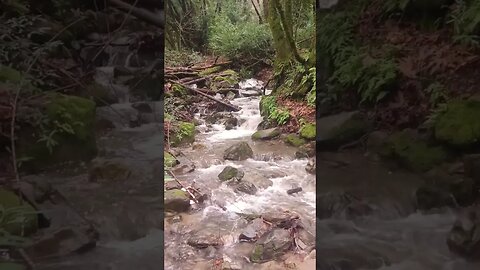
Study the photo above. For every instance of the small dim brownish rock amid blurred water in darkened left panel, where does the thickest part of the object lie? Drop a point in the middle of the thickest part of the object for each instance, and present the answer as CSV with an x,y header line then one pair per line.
x,y
108,169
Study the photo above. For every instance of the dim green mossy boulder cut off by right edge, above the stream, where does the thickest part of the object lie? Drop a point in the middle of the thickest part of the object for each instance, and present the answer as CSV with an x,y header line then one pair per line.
x,y
459,126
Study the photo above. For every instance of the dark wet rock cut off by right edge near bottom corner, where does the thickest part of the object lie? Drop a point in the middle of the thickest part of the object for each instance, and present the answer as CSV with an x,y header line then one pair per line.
x,y
464,237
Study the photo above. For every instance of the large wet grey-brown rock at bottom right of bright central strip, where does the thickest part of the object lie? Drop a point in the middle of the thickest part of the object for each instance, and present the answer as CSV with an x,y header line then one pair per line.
x,y
271,246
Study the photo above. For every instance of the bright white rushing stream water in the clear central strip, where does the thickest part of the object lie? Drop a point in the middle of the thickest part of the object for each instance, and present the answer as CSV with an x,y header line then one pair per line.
x,y
273,161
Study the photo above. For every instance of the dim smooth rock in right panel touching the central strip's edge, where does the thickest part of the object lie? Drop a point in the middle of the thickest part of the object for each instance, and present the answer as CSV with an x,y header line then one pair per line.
x,y
335,130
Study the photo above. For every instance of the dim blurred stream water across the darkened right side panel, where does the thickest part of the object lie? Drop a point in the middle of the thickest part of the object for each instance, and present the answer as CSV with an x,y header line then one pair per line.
x,y
392,235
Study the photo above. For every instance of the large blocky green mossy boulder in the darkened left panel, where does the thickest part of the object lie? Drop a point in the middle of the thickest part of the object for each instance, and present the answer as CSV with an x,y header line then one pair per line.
x,y
79,144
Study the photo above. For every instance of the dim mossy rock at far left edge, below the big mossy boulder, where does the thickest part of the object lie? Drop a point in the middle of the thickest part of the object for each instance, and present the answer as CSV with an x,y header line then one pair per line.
x,y
19,218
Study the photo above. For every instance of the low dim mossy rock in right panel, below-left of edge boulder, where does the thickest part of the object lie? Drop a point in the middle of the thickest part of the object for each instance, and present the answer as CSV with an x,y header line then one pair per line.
x,y
412,152
